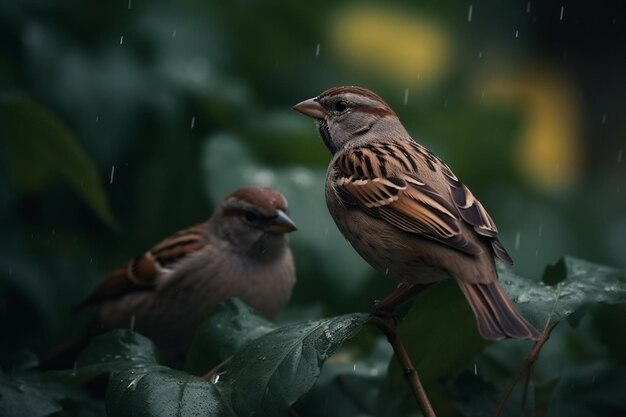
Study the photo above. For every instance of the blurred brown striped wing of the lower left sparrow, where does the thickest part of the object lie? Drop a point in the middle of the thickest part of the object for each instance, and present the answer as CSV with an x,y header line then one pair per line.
x,y
142,272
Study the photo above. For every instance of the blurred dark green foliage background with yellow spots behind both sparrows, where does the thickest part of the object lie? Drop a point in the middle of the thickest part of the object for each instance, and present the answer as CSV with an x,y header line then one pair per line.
x,y
123,121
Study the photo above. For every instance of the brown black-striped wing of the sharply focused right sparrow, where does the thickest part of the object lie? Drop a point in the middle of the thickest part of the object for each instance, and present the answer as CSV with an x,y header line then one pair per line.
x,y
384,179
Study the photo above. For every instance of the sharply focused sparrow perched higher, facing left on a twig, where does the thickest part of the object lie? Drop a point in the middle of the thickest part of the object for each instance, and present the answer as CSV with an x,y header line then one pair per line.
x,y
405,212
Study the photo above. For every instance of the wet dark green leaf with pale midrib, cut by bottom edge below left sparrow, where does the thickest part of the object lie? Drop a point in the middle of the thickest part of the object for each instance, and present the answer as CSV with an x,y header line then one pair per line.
x,y
156,391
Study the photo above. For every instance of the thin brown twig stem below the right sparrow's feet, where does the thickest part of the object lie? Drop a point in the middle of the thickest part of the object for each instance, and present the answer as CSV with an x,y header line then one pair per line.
x,y
387,325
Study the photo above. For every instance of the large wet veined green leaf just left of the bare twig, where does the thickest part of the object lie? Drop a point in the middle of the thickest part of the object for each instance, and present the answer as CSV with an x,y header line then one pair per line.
x,y
270,373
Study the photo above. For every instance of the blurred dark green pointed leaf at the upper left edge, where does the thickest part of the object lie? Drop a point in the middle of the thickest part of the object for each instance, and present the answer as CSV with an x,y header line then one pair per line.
x,y
41,148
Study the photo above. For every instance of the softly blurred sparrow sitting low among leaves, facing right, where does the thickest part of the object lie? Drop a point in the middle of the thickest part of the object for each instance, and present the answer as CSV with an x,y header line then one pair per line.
x,y
241,251
